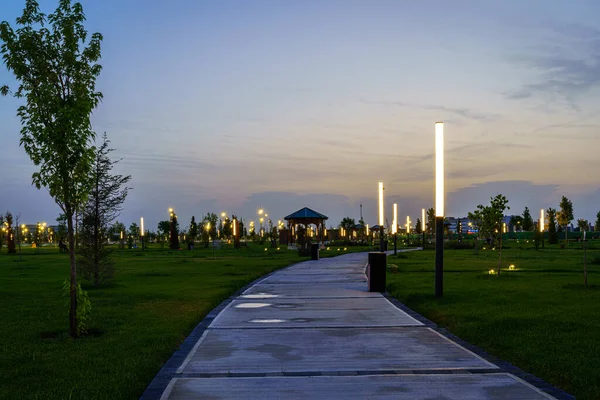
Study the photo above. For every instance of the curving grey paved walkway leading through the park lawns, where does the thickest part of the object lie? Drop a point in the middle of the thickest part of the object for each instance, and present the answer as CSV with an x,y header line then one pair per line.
x,y
312,331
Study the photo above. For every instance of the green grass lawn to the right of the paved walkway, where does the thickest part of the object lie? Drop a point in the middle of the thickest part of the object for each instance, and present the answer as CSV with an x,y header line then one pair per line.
x,y
538,317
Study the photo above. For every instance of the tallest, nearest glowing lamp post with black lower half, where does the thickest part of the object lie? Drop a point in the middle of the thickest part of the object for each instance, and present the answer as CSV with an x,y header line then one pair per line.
x,y
439,209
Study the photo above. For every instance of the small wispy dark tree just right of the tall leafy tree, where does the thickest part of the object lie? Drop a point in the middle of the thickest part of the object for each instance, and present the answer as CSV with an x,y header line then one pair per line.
x,y
104,205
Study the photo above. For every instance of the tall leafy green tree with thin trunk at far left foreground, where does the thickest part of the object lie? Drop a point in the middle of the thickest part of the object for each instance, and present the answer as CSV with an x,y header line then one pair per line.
x,y
57,76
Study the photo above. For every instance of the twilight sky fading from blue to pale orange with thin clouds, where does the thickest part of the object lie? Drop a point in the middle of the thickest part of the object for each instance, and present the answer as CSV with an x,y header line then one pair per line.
x,y
227,105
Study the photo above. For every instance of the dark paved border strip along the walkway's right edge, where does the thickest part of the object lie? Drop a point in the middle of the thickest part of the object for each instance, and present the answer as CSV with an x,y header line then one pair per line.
x,y
505,366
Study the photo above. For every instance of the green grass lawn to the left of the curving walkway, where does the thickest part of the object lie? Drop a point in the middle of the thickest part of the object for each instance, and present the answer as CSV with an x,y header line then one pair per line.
x,y
156,299
